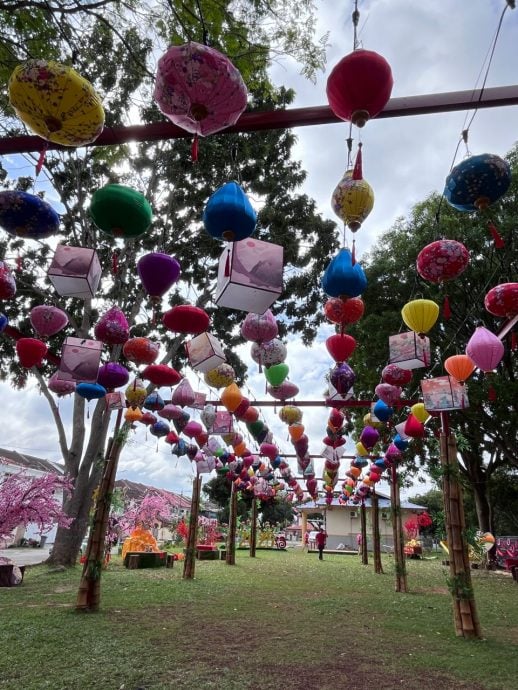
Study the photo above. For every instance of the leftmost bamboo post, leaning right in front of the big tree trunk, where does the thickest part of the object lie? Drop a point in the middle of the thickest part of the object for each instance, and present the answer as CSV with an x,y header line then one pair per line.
x,y
89,592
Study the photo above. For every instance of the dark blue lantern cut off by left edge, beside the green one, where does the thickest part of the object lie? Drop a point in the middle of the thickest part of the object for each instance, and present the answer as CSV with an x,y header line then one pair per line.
x,y
27,215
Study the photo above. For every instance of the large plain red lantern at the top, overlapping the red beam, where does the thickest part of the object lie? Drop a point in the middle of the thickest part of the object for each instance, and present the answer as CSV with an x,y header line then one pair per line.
x,y
359,86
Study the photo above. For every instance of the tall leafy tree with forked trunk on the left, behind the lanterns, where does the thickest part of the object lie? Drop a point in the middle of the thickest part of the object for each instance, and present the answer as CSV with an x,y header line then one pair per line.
x,y
176,189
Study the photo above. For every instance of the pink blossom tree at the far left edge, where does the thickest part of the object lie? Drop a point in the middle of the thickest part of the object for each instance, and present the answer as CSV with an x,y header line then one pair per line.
x,y
25,499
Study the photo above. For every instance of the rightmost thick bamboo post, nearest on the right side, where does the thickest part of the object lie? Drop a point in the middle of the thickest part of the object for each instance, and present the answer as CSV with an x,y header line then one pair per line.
x,y
464,607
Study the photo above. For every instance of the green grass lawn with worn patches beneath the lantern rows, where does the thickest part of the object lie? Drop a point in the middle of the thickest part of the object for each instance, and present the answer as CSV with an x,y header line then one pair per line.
x,y
283,620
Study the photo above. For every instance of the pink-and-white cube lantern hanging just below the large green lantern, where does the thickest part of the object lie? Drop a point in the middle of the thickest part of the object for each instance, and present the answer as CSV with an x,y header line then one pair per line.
x,y
75,271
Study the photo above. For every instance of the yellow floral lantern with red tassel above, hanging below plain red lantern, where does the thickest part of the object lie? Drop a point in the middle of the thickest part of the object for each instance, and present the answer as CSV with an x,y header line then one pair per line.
x,y
353,198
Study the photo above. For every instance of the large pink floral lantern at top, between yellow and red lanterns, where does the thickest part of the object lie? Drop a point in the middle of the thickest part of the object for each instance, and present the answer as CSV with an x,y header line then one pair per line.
x,y
199,89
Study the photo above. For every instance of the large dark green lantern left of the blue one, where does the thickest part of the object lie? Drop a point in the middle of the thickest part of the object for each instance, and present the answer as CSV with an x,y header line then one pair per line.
x,y
120,211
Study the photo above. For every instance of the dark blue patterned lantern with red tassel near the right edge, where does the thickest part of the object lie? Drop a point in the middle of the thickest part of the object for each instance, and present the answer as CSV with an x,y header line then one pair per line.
x,y
477,182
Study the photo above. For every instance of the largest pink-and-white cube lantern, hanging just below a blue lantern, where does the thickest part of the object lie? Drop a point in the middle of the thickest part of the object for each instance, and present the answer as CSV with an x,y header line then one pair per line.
x,y
250,276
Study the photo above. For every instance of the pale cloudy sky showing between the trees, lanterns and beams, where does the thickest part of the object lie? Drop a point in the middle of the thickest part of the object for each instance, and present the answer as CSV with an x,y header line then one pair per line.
x,y
432,47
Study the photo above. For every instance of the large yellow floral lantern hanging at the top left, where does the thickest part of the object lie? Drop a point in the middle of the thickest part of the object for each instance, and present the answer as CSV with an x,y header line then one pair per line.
x,y
56,103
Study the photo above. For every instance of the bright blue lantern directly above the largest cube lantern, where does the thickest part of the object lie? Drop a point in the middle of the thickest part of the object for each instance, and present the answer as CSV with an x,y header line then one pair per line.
x,y
229,215
